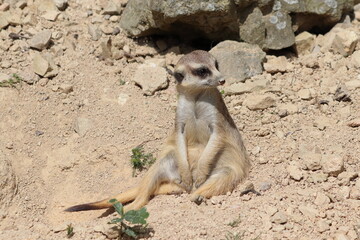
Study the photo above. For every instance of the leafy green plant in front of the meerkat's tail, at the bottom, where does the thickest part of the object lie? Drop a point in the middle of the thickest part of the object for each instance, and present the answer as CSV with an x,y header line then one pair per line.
x,y
137,219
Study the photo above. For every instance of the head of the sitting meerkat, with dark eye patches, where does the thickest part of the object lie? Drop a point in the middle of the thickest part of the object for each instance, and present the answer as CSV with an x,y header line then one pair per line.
x,y
198,69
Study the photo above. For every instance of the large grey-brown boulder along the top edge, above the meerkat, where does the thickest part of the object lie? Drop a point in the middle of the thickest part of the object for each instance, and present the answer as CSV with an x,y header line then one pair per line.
x,y
269,24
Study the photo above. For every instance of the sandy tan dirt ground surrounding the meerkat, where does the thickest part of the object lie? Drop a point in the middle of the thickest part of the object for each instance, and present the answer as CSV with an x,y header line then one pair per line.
x,y
56,167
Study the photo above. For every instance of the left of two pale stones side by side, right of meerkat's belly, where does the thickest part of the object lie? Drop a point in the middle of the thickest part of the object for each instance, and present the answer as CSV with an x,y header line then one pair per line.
x,y
310,156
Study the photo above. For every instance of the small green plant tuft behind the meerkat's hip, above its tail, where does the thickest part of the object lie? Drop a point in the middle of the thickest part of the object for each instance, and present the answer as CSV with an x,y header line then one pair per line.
x,y
140,160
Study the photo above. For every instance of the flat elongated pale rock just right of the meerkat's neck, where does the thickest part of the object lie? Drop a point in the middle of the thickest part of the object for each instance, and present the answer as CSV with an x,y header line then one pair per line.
x,y
247,87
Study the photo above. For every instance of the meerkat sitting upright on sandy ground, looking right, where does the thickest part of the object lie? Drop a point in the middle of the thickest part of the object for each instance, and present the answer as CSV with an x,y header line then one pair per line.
x,y
205,155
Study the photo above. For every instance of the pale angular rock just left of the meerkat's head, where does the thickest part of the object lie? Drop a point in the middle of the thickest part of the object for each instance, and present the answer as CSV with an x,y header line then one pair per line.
x,y
151,78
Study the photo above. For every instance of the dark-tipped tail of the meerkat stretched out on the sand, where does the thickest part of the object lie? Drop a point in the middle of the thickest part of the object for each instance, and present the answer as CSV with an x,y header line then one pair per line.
x,y
122,197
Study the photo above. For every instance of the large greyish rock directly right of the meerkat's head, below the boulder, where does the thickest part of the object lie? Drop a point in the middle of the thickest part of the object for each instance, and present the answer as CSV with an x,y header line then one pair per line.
x,y
238,60
